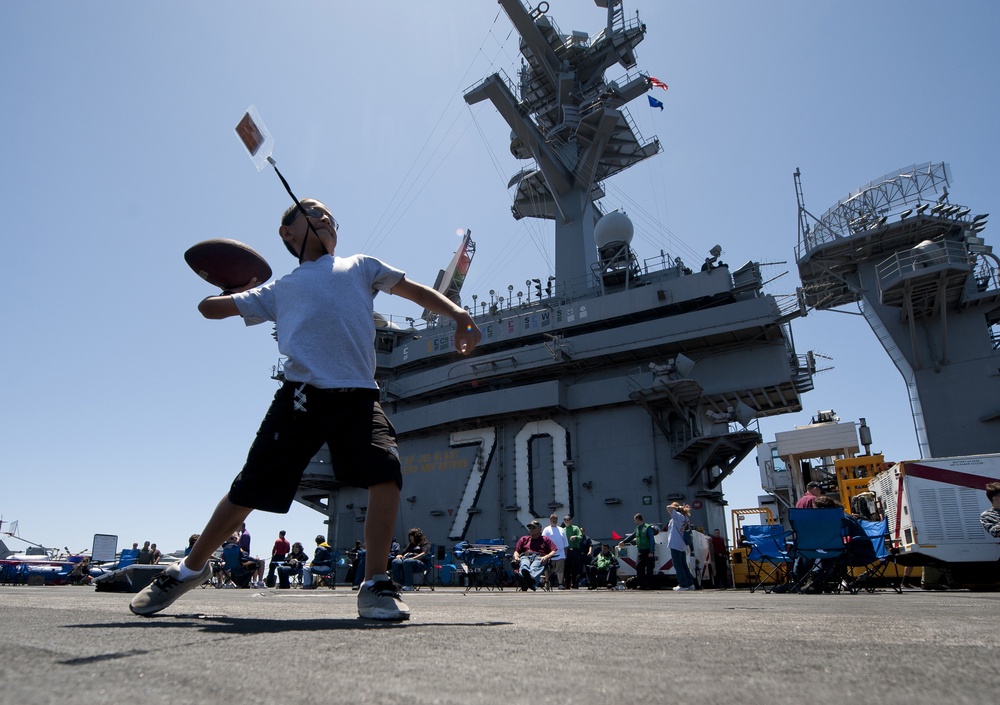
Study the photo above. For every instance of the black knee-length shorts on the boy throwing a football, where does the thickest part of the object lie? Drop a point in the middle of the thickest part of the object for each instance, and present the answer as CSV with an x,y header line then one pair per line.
x,y
301,419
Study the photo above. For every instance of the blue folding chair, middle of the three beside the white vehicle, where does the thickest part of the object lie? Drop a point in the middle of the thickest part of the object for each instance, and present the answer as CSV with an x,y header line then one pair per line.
x,y
819,549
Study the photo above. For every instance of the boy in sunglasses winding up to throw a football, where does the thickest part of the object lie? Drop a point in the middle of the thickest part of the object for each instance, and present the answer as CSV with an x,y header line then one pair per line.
x,y
324,325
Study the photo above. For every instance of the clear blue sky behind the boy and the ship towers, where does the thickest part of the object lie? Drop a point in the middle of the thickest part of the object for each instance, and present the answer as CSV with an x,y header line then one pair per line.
x,y
124,412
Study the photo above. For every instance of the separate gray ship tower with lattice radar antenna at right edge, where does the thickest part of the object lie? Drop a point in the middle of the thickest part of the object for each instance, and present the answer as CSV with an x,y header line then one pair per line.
x,y
927,284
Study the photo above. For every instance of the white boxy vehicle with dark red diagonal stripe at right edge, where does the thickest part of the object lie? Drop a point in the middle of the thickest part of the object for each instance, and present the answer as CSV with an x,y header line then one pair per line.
x,y
933,507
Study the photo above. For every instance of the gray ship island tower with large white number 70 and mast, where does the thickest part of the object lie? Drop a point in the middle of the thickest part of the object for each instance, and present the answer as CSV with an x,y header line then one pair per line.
x,y
617,385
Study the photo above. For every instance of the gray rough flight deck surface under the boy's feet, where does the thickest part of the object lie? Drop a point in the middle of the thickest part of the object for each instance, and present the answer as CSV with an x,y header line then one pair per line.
x,y
72,644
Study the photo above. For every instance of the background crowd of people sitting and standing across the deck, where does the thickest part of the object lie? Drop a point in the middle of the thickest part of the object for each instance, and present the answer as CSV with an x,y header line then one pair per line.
x,y
560,556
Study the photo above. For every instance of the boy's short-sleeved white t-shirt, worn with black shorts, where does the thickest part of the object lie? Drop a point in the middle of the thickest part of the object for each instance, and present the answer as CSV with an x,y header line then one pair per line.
x,y
323,312
